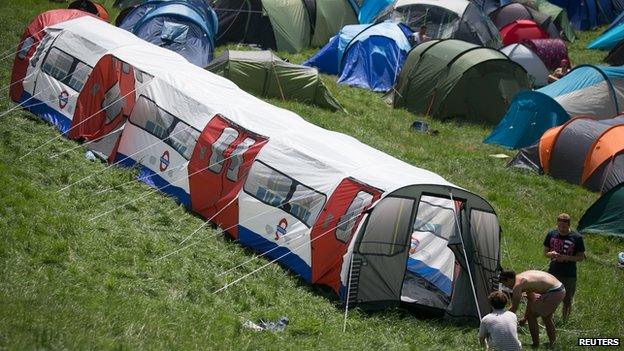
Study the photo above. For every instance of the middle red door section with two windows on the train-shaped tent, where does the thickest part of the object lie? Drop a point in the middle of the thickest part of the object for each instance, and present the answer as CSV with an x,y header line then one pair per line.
x,y
218,168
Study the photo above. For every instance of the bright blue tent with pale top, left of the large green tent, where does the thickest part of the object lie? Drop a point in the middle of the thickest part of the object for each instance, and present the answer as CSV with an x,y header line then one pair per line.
x,y
366,56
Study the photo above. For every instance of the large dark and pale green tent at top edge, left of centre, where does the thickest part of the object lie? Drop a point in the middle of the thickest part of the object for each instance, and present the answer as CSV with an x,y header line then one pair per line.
x,y
284,25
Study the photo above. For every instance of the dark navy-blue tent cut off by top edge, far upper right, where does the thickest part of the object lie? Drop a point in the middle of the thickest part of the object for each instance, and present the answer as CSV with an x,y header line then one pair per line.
x,y
588,14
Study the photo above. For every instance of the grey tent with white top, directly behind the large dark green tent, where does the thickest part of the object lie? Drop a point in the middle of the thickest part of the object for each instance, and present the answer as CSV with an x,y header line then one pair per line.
x,y
457,19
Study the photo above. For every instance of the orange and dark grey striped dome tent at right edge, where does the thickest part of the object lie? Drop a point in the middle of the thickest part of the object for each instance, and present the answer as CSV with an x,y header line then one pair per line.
x,y
582,151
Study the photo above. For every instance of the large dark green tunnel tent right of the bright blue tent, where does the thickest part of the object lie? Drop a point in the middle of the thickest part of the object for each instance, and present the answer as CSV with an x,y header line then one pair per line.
x,y
450,79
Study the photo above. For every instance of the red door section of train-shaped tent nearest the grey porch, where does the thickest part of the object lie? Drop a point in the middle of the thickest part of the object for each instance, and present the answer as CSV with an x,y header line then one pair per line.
x,y
334,228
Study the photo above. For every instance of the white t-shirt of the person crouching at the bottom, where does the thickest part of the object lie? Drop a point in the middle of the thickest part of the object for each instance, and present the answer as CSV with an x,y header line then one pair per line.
x,y
501,329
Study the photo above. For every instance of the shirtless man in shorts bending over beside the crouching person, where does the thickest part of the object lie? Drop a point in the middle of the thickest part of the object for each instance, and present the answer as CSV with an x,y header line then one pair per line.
x,y
544,293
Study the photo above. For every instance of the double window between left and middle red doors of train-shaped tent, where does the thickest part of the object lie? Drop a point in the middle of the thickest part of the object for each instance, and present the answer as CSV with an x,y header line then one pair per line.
x,y
165,126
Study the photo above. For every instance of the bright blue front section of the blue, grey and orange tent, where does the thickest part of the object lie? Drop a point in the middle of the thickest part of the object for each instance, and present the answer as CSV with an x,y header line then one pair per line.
x,y
530,114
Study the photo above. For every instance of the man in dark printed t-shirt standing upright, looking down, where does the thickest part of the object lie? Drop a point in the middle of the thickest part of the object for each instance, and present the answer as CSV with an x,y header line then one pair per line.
x,y
564,248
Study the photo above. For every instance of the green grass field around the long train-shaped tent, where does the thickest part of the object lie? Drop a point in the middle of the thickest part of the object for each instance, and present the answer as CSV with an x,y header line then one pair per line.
x,y
69,282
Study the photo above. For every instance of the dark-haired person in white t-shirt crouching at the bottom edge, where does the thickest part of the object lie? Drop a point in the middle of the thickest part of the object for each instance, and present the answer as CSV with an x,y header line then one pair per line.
x,y
500,327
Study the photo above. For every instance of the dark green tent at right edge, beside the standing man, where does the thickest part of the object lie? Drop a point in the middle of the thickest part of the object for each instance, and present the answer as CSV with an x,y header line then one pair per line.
x,y
606,215
